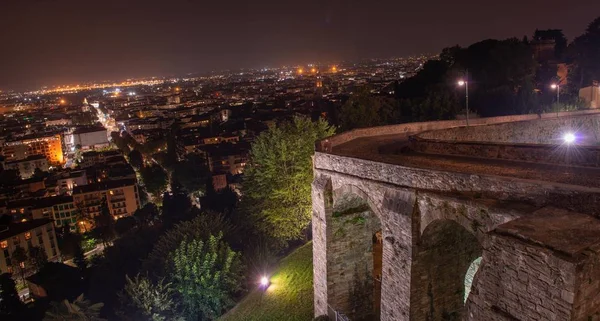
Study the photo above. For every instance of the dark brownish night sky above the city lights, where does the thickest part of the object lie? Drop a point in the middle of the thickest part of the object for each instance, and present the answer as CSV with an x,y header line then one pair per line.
x,y
48,42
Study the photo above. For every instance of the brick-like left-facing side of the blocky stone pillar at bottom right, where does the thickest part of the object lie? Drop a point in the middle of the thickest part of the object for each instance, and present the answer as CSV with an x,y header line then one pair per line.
x,y
517,281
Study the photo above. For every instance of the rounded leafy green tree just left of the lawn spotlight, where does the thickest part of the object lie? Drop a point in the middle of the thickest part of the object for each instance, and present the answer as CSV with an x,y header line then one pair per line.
x,y
206,274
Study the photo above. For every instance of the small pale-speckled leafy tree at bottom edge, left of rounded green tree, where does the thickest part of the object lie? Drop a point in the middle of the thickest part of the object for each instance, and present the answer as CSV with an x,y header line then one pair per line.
x,y
143,300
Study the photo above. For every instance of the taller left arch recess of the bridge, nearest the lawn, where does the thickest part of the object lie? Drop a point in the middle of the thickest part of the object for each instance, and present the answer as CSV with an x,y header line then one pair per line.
x,y
353,227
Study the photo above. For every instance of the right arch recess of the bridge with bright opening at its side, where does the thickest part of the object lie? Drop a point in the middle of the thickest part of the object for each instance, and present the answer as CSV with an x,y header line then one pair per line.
x,y
442,257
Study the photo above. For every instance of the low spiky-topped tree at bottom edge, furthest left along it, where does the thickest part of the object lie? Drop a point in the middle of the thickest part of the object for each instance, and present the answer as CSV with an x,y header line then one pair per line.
x,y
78,310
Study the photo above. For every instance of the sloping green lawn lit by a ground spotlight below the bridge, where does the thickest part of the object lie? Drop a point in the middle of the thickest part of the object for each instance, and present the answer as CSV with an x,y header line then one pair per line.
x,y
290,296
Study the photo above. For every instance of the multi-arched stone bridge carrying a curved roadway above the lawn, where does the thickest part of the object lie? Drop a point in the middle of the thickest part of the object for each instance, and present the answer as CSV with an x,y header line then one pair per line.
x,y
439,221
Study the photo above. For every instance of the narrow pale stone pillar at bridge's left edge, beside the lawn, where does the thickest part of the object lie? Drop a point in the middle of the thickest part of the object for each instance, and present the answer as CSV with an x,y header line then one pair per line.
x,y
321,200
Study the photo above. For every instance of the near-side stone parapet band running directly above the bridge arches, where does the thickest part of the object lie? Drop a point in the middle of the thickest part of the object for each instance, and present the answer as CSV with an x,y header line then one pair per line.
x,y
576,198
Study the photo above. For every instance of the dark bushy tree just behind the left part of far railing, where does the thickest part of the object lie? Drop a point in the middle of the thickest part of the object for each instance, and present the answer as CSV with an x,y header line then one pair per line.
x,y
366,110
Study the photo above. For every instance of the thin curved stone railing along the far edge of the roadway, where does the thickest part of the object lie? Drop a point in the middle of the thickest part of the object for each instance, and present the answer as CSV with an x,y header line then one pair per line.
x,y
327,145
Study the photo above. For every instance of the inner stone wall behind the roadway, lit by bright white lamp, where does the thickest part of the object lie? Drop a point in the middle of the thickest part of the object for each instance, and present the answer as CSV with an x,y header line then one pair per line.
x,y
544,131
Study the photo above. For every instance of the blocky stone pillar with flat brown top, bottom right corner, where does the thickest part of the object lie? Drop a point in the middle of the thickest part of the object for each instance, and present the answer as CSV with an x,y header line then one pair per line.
x,y
540,267
